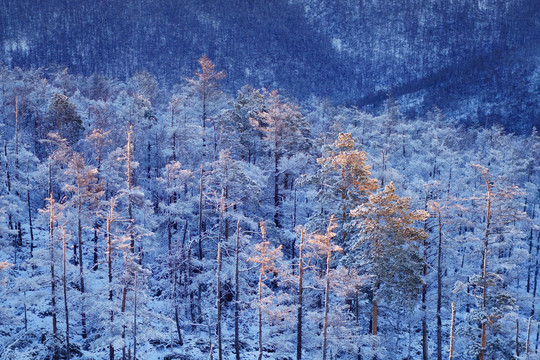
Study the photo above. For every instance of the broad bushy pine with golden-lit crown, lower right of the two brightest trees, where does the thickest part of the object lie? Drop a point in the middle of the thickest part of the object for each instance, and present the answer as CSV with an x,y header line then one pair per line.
x,y
388,248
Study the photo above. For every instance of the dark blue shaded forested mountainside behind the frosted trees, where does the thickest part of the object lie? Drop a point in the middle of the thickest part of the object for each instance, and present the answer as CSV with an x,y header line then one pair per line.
x,y
475,59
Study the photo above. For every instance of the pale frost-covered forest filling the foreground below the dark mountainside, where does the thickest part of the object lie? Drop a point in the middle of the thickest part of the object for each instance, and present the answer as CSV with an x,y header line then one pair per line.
x,y
138,222
